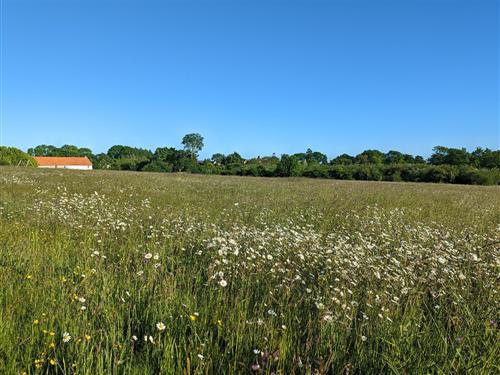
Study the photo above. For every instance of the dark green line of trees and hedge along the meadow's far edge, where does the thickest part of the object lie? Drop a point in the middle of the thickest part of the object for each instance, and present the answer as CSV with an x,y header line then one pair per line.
x,y
449,165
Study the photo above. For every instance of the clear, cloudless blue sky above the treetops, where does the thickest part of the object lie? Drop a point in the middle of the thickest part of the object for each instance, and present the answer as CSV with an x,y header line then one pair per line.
x,y
253,76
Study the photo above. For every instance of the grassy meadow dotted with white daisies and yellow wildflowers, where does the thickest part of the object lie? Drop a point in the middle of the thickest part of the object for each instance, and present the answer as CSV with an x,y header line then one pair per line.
x,y
116,272
